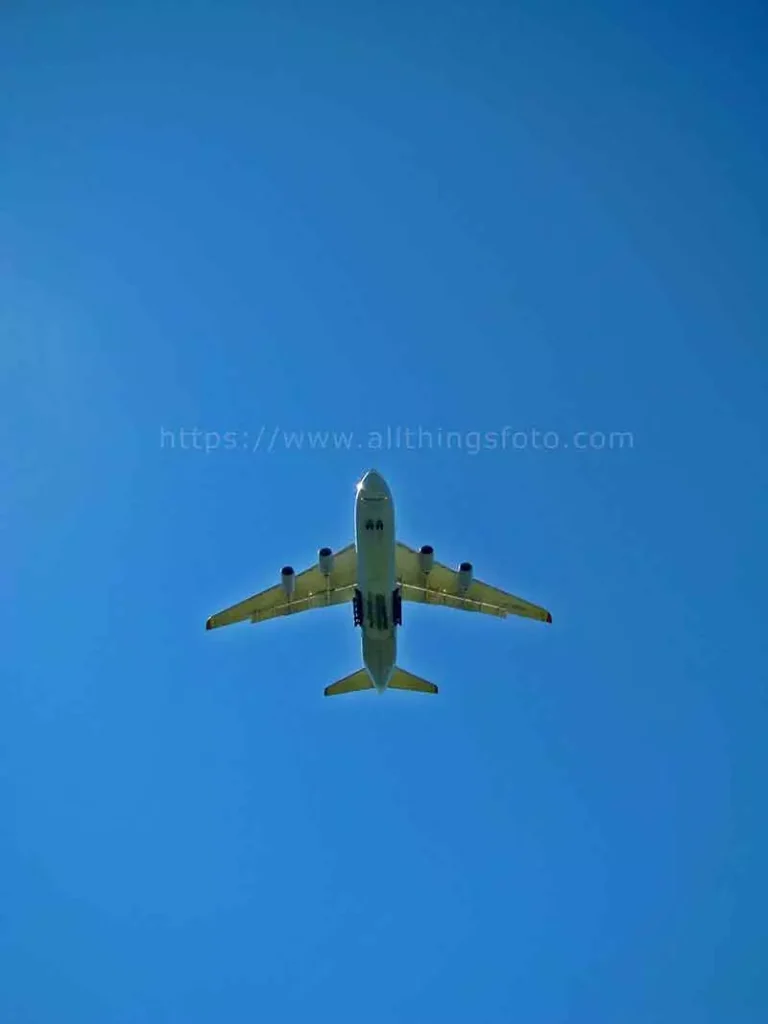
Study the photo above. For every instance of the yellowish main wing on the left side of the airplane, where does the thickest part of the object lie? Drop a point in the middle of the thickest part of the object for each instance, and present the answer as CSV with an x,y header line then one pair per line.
x,y
313,590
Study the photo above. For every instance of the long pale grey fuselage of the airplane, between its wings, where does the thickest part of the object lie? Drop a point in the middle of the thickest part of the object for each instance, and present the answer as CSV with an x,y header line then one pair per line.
x,y
378,605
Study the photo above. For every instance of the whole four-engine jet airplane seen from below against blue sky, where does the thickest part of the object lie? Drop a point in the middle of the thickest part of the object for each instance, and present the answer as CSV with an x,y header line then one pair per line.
x,y
376,574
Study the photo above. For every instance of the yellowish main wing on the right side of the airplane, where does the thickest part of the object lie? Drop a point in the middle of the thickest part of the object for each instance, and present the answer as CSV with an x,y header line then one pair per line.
x,y
441,586
